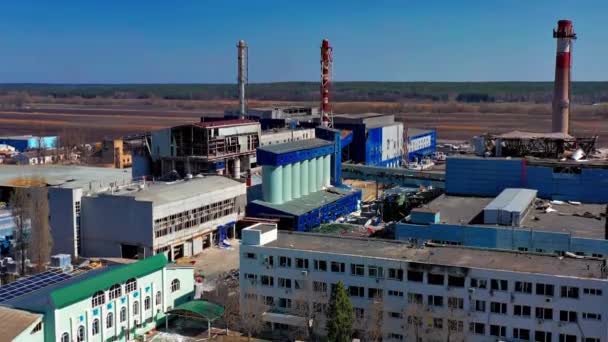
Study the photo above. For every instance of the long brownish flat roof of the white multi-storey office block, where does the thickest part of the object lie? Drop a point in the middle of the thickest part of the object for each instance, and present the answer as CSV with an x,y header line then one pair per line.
x,y
440,255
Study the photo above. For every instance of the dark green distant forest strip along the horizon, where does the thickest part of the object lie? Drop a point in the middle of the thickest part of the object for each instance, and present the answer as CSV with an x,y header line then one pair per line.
x,y
535,92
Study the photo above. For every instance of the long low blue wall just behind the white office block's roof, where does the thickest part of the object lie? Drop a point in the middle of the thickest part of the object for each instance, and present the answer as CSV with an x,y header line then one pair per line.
x,y
500,238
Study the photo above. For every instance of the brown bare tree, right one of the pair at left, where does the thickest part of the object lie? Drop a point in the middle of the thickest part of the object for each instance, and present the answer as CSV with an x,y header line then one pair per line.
x,y
41,241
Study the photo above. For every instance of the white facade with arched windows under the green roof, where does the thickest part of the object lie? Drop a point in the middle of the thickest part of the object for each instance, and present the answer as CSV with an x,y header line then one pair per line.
x,y
68,319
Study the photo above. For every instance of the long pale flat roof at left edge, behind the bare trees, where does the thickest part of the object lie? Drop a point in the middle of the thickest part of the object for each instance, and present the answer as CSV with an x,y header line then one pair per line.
x,y
64,176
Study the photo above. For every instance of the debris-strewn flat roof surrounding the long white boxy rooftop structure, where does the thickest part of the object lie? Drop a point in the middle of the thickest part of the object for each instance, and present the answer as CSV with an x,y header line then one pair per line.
x,y
569,218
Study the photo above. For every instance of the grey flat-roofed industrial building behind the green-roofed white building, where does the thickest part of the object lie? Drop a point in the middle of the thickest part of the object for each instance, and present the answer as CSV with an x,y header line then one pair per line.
x,y
176,218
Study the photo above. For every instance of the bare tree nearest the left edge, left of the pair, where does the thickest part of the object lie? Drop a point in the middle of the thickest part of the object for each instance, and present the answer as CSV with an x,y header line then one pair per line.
x,y
20,205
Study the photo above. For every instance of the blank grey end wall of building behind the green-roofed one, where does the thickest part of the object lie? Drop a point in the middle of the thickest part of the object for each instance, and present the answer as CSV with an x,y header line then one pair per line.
x,y
108,221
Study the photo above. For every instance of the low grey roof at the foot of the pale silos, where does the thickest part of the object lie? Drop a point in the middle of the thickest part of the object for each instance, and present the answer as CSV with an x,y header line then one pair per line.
x,y
309,202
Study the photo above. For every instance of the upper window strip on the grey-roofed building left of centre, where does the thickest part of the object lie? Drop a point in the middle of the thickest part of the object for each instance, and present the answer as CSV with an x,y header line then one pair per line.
x,y
192,218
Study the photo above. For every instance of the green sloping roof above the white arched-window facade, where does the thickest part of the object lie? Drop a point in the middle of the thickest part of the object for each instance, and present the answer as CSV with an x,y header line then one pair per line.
x,y
76,292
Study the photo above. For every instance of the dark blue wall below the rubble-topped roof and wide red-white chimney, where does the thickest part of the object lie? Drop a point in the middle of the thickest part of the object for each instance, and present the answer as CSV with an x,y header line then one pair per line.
x,y
489,176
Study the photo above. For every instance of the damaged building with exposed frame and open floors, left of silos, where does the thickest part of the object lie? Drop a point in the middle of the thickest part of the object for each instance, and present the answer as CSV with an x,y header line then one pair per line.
x,y
223,147
